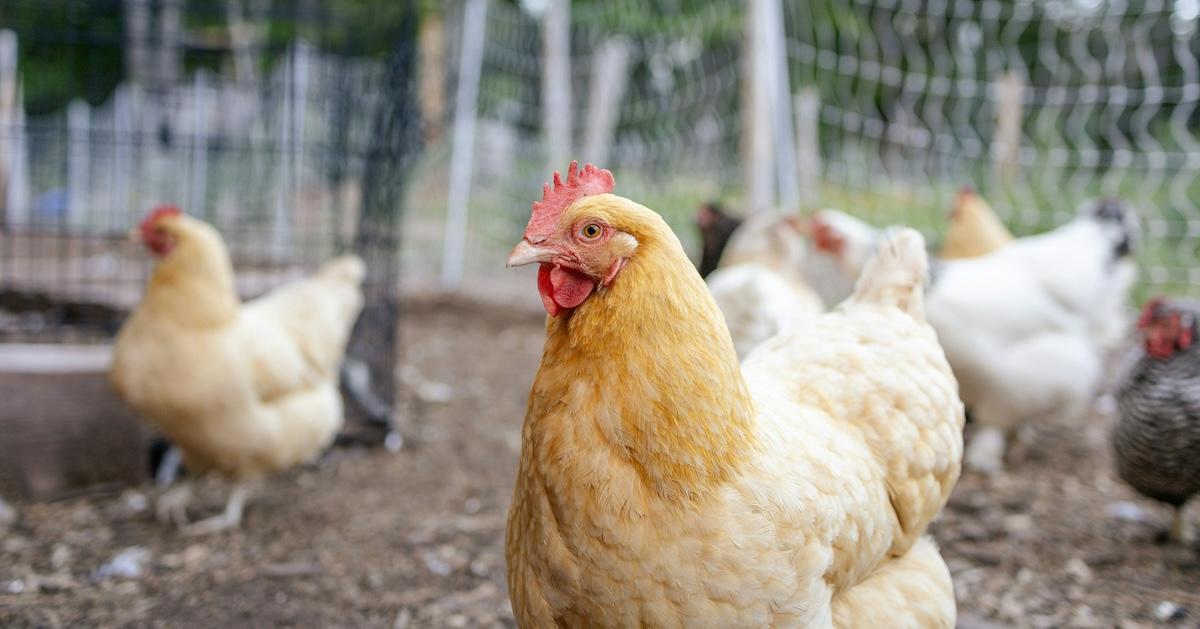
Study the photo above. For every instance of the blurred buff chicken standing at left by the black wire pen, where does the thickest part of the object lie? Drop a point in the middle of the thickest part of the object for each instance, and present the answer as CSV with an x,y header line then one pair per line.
x,y
243,390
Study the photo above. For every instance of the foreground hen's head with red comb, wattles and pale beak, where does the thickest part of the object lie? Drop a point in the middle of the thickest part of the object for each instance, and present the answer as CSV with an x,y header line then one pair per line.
x,y
580,247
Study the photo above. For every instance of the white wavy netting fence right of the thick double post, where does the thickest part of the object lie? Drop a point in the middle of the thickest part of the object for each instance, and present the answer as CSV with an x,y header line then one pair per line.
x,y
1042,105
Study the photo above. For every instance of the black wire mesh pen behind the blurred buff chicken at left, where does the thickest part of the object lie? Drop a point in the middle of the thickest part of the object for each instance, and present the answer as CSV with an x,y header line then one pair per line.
x,y
283,124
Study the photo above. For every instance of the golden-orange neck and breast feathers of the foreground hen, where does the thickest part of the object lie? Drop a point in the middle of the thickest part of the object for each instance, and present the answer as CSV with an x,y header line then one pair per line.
x,y
646,369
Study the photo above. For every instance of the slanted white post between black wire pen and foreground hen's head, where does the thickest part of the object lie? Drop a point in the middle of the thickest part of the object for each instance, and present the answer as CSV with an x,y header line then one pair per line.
x,y
471,62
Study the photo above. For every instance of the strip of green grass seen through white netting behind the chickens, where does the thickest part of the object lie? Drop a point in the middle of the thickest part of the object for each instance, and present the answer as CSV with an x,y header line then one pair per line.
x,y
500,212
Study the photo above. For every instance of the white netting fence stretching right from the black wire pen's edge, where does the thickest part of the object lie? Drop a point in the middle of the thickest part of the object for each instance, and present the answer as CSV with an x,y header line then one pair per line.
x,y
1039,105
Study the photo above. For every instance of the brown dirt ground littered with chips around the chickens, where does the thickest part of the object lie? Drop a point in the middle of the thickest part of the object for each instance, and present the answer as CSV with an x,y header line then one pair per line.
x,y
374,540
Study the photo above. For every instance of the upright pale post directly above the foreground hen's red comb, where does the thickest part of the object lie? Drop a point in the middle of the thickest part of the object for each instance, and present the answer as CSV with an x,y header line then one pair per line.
x,y
556,82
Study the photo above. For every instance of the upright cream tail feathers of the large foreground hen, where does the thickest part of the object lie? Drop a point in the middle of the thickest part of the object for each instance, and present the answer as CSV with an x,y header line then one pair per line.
x,y
896,277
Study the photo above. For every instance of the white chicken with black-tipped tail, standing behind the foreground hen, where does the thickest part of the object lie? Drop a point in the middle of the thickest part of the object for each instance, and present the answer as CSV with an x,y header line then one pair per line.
x,y
1027,328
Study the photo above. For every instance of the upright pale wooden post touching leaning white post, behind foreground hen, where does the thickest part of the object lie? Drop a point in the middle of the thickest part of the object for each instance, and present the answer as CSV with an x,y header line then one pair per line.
x,y
758,161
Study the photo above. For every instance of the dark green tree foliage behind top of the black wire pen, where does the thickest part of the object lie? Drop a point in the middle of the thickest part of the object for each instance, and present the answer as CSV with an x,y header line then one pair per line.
x,y
83,50
